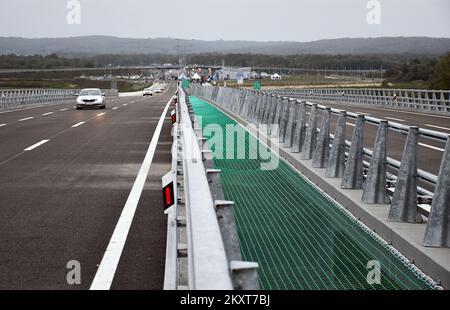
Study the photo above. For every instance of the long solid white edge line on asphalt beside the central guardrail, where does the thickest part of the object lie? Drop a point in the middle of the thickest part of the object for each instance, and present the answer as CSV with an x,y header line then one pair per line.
x,y
107,268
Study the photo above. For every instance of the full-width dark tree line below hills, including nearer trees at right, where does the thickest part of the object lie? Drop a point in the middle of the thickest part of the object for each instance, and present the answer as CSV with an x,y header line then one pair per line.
x,y
401,68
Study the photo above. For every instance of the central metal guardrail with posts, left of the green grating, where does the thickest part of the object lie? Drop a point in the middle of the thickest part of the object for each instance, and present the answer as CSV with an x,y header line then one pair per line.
x,y
210,240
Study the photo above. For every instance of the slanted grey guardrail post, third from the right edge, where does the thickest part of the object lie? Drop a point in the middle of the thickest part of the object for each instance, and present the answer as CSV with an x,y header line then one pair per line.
x,y
374,189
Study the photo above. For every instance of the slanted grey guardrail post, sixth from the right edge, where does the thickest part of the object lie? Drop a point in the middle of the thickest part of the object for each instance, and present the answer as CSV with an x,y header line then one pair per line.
x,y
322,151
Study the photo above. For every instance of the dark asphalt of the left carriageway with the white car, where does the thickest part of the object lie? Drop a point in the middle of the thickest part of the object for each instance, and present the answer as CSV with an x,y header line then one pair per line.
x,y
65,176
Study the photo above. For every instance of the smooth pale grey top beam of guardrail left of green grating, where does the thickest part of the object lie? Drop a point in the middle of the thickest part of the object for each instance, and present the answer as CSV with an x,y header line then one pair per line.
x,y
207,261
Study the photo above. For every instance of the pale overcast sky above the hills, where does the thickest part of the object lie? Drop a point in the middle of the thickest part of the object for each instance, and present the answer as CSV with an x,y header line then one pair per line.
x,y
259,20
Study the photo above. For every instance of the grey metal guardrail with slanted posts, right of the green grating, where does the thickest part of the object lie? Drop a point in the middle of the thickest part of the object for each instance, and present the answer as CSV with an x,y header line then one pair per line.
x,y
345,159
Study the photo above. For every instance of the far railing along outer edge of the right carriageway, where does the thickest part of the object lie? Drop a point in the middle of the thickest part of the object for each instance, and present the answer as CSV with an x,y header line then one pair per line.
x,y
429,101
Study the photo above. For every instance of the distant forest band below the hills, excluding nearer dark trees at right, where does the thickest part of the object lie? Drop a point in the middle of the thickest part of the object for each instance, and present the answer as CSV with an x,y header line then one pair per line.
x,y
309,61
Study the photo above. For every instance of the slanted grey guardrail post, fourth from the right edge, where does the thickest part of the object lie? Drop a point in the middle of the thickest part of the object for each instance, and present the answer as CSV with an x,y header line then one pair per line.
x,y
353,174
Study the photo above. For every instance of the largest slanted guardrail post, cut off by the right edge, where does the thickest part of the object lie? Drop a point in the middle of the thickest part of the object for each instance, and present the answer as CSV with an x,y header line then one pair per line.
x,y
437,233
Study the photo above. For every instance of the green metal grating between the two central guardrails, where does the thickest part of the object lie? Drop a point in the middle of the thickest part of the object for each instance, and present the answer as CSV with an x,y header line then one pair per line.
x,y
300,238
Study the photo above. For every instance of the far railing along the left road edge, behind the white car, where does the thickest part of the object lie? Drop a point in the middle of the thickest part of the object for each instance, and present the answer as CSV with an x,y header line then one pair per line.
x,y
17,98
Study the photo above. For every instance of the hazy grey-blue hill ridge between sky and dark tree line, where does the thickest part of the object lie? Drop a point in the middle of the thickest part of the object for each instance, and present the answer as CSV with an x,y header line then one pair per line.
x,y
95,45
